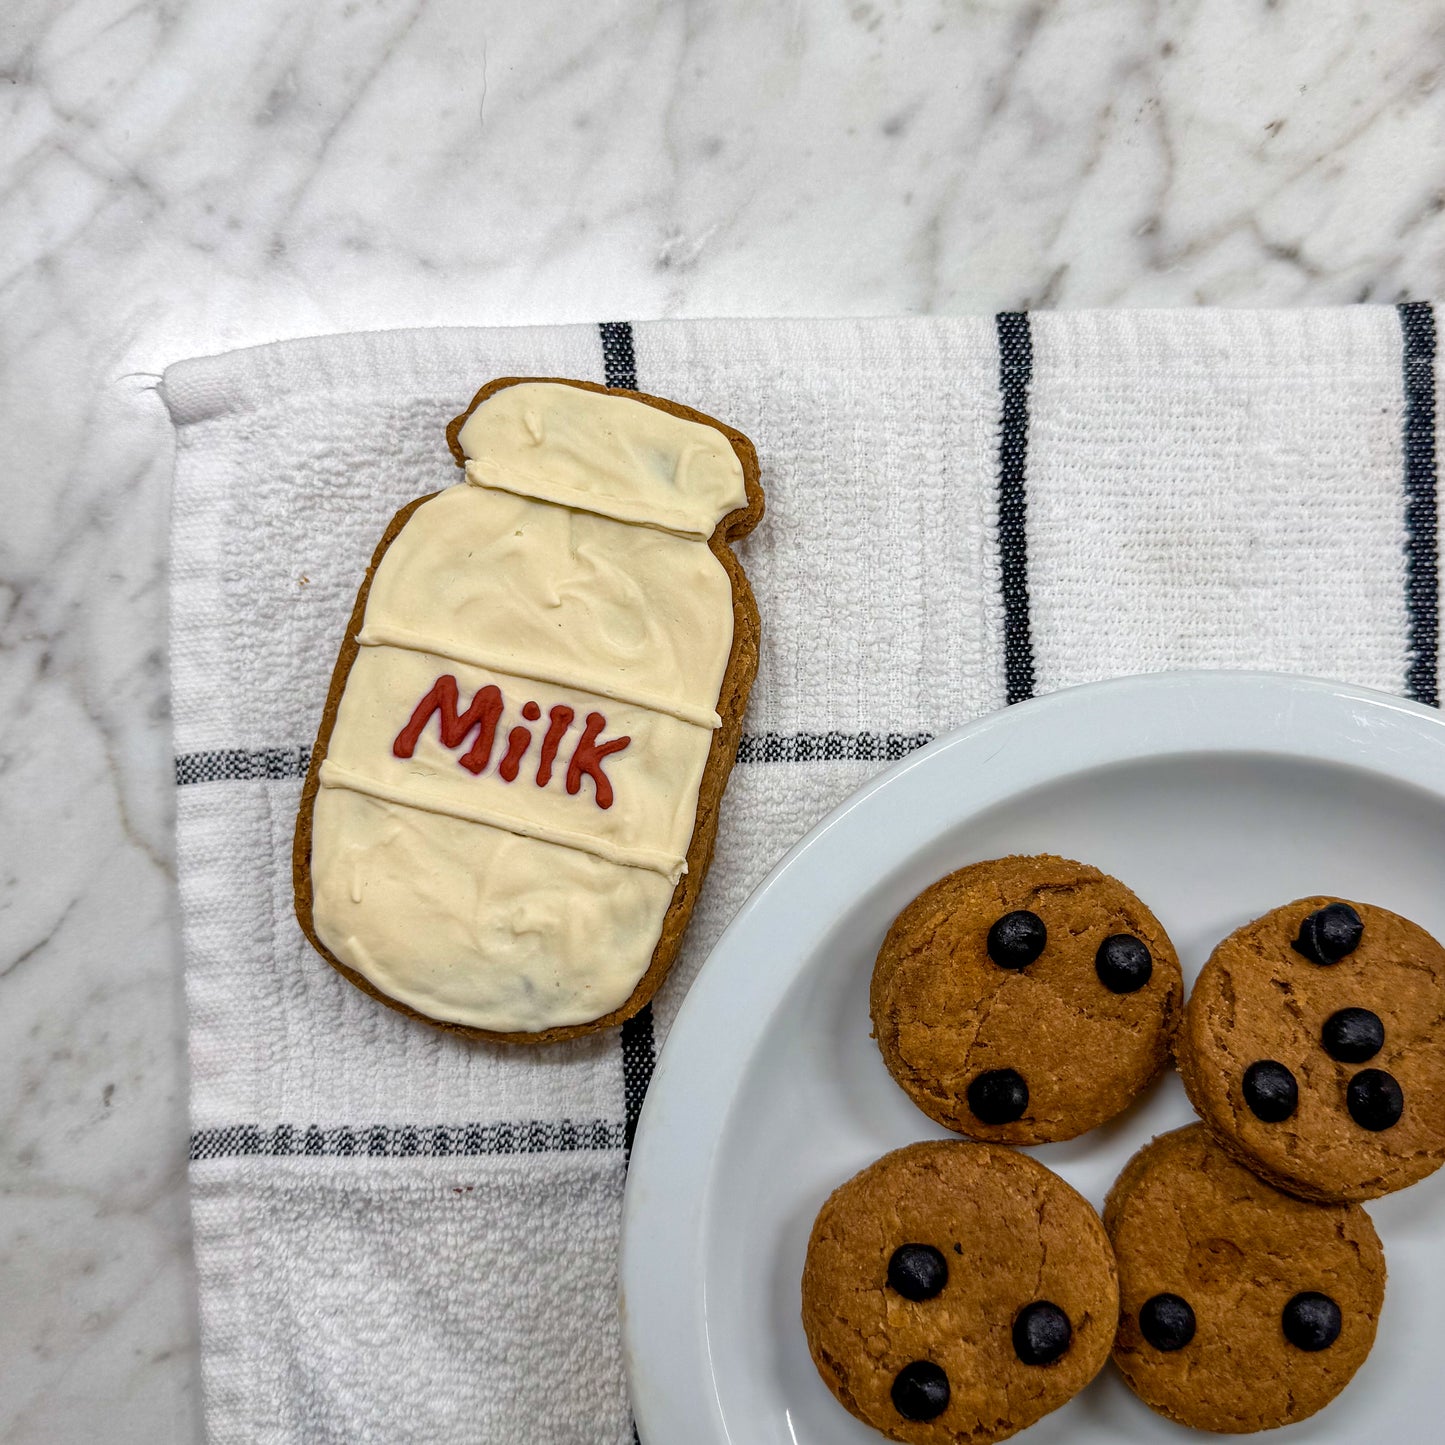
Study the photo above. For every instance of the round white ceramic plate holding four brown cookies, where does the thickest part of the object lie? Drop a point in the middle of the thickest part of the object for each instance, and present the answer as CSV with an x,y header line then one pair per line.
x,y
1215,797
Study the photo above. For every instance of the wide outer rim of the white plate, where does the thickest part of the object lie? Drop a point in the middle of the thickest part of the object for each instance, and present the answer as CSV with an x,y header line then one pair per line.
x,y
665,1203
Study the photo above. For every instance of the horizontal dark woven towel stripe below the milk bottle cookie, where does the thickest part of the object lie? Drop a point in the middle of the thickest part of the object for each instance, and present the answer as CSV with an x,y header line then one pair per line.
x,y
531,1136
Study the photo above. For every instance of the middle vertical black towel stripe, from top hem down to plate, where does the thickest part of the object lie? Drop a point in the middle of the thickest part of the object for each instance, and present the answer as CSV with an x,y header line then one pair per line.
x,y
1015,376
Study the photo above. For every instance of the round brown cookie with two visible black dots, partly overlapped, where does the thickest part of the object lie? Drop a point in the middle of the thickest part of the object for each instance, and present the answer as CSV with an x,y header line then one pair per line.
x,y
1241,1308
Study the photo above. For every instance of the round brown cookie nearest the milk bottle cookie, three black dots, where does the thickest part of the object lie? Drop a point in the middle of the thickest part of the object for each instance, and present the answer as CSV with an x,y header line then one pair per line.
x,y
1027,999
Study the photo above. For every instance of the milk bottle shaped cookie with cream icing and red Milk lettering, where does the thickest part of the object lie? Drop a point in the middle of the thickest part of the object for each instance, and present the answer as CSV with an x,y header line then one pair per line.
x,y
515,788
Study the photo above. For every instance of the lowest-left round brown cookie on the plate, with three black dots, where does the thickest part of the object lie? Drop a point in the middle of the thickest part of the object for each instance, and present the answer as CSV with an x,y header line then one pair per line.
x,y
957,1293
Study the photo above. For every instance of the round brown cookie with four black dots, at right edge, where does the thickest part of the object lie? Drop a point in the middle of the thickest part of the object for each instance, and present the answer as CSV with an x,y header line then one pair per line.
x,y
1314,1048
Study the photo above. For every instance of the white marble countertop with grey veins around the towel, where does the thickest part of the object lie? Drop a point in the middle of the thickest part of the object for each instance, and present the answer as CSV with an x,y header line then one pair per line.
x,y
186,178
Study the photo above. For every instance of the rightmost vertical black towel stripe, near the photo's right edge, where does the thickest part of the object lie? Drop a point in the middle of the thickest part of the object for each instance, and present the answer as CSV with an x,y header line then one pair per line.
x,y
1421,508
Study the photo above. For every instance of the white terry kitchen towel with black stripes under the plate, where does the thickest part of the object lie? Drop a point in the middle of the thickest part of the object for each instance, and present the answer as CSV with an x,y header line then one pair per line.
x,y
405,1238
